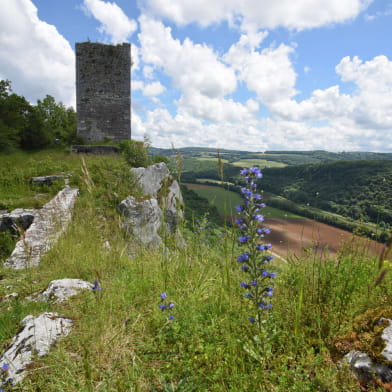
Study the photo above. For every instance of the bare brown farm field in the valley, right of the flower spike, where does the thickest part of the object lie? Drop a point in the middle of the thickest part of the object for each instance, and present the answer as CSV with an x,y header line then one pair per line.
x,y
296,236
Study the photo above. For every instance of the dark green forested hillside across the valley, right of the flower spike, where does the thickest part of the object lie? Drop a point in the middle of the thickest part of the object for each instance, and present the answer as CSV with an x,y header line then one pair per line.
x,y
361,190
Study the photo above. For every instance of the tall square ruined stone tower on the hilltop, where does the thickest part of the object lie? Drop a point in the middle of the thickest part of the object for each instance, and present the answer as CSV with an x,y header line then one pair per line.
x,y
103,91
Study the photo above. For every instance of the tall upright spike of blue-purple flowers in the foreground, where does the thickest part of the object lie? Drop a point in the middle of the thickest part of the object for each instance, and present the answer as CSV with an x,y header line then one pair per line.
x,y
255,257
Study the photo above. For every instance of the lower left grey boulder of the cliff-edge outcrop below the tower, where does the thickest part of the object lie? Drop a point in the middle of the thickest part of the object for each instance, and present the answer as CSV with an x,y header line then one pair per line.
x,y
144,220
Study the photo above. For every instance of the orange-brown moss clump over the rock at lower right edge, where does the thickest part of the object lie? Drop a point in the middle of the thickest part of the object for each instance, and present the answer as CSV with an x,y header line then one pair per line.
x,y
365,335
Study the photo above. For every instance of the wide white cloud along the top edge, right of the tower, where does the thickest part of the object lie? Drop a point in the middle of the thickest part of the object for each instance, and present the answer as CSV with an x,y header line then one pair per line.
x,y
296,15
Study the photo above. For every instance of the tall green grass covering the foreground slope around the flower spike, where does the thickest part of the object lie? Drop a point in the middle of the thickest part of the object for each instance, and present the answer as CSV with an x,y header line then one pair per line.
x,y
122,342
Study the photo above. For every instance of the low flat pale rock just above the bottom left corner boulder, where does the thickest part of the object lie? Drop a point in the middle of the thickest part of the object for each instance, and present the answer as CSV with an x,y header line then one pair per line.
x,y
60,290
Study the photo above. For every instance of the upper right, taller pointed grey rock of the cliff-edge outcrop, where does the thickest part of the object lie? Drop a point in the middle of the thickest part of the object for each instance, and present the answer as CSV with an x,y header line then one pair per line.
x,y
157,182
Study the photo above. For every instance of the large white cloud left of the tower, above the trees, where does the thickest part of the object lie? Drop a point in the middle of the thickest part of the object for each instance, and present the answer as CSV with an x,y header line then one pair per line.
x,y
34,55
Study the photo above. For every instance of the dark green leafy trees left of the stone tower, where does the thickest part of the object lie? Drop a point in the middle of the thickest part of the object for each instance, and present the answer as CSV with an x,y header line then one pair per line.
x,y
32,127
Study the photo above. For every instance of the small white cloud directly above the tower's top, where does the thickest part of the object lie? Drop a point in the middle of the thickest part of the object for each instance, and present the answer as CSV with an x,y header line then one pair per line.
x,y
113,20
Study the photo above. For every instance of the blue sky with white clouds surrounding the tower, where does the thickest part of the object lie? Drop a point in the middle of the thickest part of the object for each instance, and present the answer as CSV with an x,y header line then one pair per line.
x,y
254,75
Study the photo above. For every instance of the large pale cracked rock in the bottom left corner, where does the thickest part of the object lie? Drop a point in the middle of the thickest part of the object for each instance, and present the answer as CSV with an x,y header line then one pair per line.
x,y
36,338
